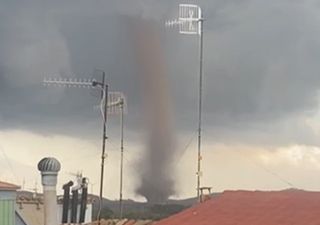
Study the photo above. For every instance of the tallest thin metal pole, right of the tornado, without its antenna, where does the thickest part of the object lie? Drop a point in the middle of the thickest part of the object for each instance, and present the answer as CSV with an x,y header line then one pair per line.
x,y
200,107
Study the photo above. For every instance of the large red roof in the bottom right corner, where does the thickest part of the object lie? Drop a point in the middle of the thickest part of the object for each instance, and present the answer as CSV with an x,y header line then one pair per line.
x,y
289,207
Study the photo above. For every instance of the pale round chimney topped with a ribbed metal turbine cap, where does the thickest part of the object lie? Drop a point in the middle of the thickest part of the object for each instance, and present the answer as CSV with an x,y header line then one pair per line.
x,y
49,168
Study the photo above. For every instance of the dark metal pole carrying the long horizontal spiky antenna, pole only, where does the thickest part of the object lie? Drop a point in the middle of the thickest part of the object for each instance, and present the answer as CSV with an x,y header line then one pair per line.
x,y
104,137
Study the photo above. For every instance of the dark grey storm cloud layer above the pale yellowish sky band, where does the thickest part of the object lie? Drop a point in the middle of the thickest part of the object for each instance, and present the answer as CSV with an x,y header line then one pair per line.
x,y
260,65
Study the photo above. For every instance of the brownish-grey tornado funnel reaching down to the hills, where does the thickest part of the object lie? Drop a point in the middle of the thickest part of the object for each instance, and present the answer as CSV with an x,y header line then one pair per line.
x,y
156,166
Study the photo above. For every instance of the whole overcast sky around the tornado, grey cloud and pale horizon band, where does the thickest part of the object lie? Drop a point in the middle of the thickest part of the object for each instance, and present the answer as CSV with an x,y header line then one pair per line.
x,y
261,101
